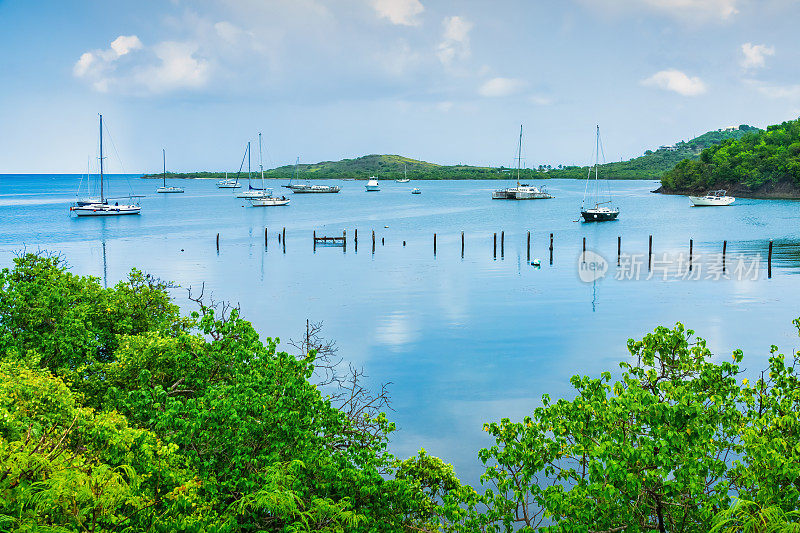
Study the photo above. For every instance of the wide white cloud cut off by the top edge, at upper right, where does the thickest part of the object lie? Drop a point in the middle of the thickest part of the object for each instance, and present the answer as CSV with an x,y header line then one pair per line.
x,y
691,10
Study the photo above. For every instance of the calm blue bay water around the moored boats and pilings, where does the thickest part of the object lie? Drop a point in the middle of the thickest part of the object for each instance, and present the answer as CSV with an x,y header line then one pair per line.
x,y
463,340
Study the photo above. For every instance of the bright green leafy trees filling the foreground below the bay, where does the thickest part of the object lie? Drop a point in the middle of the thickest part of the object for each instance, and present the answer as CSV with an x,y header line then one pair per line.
x,y
120,413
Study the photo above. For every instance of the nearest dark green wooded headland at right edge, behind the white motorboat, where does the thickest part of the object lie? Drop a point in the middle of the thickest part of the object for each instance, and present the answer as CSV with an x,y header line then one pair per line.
x,y
760,164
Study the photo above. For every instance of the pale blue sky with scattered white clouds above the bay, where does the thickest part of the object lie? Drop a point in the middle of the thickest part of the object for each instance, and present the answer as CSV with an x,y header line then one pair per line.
x,y
446,82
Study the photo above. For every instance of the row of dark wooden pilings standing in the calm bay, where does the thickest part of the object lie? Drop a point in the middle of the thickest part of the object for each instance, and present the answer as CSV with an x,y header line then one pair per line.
x,y
343,241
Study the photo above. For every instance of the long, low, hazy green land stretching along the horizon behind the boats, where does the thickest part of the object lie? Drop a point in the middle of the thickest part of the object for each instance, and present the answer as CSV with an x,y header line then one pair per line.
x,y
652,165
